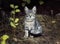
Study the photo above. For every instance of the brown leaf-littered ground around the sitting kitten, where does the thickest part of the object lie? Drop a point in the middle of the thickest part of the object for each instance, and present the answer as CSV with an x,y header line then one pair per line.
x,y
50,35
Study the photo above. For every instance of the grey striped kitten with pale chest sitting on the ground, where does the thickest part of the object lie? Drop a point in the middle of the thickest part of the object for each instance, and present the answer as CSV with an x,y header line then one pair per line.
x,y
31,25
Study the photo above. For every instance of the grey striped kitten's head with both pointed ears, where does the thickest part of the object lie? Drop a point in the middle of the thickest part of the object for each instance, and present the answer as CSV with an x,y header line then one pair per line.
x,y
30,14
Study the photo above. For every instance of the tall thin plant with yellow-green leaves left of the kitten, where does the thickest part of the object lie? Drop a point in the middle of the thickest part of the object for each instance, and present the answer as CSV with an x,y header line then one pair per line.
x,y
14,21
